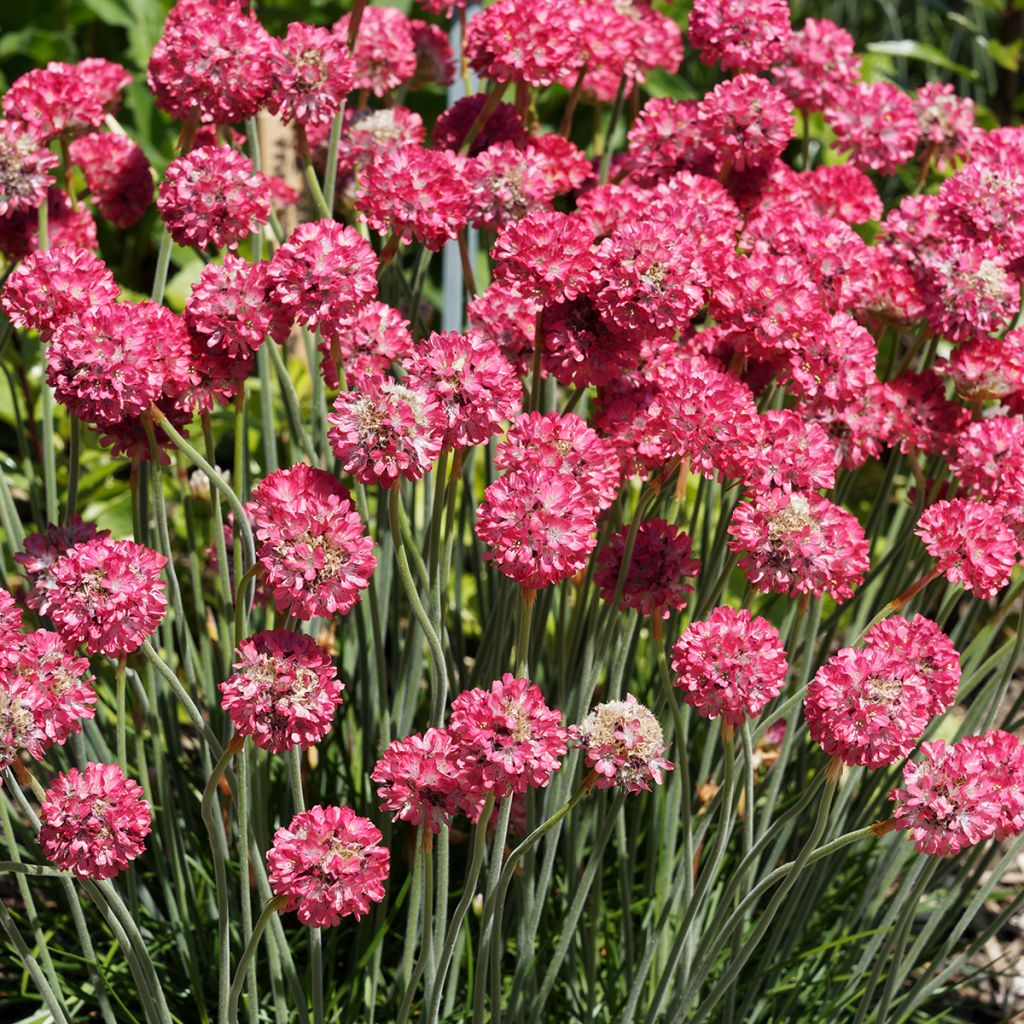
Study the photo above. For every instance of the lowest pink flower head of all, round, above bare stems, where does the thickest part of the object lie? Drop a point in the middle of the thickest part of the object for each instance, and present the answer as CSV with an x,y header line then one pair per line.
x,y
329,865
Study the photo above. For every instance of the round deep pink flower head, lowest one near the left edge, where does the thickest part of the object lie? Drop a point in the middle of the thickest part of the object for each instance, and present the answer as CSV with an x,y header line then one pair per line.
x,y
95,823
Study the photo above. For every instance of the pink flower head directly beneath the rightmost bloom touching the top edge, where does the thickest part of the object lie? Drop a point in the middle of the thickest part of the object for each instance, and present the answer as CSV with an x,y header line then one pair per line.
x,y
747,121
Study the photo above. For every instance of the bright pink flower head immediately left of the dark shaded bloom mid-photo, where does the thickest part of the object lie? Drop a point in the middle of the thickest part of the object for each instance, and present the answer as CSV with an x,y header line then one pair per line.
x,y
539,526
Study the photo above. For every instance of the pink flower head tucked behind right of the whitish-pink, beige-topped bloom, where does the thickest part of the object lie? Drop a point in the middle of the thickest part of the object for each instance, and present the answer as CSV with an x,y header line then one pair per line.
x,y
470,380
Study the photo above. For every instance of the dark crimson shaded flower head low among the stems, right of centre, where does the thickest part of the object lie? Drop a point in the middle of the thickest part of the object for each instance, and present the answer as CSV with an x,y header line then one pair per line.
x,y
656,581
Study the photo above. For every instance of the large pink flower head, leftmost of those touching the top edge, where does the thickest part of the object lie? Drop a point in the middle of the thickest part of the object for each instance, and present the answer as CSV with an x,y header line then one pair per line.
x,y
215,60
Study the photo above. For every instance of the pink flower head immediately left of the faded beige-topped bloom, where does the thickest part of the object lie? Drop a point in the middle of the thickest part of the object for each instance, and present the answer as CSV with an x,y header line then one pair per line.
x,y
506,740
